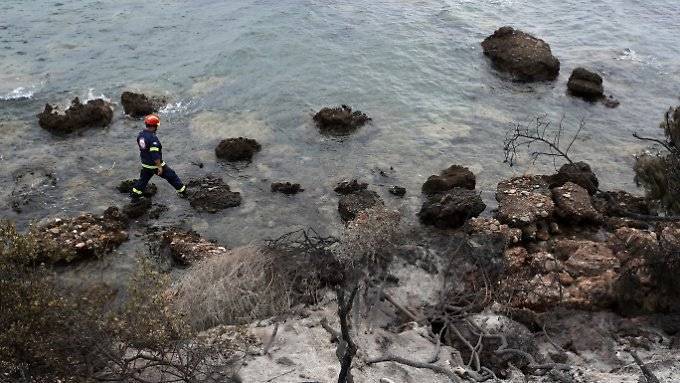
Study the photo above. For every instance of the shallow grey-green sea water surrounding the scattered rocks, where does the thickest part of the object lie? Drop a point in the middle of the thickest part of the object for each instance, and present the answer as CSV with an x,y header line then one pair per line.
x,y
261,68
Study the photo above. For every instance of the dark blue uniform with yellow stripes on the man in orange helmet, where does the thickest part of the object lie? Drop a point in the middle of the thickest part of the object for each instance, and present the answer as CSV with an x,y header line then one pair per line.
x,y
150,150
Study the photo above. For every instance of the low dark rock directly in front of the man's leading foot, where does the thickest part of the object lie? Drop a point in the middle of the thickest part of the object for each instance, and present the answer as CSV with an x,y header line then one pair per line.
x,y
211,195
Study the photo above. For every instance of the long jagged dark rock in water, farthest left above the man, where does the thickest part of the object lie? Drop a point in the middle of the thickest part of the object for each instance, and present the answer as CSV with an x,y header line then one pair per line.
x,y
95,113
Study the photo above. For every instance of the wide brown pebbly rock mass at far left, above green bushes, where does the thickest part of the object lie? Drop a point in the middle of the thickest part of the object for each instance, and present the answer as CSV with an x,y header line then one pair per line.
x,y
86,235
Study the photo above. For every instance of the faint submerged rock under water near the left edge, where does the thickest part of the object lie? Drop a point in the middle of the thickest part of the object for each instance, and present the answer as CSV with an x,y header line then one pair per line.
x,y
31,188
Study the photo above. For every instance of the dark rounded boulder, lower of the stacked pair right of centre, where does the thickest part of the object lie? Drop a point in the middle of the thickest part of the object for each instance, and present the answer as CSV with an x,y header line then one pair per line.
x,y
450,209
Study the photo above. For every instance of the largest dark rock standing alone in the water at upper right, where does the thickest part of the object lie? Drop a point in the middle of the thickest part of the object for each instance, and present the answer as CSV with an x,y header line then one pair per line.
x,y
524,56
